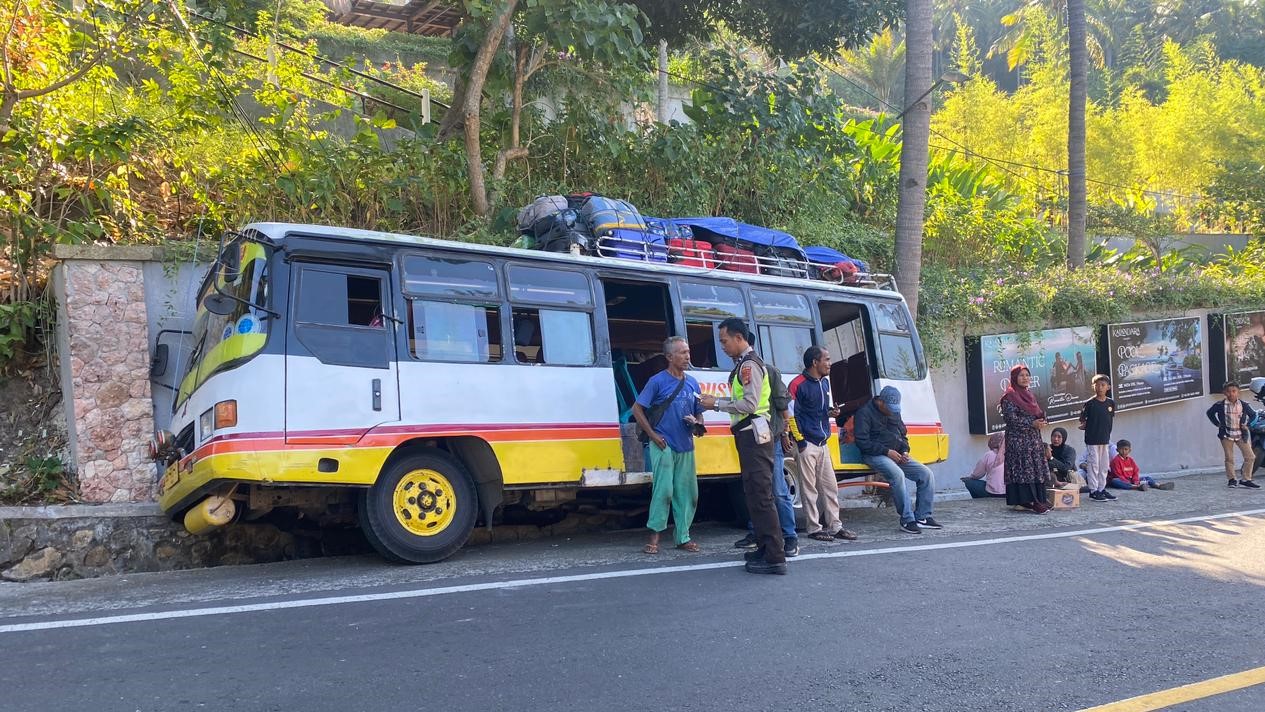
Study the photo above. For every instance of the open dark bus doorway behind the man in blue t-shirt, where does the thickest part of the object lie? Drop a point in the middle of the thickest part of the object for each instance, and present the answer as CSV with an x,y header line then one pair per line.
x,y
639,318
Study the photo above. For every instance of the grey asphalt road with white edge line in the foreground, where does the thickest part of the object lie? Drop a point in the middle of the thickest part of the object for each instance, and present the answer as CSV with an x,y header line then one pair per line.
x,y
1051,619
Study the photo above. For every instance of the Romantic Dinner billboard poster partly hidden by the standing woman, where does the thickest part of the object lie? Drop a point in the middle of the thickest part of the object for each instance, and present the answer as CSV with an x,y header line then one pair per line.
x,y
1062,362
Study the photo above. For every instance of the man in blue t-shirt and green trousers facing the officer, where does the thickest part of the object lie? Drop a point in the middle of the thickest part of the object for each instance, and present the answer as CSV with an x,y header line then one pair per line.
x,y
672,445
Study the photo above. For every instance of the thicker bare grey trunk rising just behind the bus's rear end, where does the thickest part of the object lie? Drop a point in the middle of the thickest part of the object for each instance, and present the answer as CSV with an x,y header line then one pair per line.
x,y
915,137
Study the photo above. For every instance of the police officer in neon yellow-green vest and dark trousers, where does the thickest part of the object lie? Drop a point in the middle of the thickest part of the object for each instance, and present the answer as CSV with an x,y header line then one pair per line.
x,y
753,436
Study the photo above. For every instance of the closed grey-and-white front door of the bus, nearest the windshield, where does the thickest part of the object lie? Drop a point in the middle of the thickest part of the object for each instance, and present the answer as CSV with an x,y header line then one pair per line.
x,y
342,375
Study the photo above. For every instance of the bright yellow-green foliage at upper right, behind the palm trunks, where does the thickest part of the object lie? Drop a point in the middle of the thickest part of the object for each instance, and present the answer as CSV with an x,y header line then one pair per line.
x,y
1213,116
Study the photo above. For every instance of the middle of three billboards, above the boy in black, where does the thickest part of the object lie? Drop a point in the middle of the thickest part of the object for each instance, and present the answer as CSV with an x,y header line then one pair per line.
x,y
1156,362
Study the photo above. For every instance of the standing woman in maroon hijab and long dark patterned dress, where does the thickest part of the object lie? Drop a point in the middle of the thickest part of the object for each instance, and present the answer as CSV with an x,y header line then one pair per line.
x,y
1027,469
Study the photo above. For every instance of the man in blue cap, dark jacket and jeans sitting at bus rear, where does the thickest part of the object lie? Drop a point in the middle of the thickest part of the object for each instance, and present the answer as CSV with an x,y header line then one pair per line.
x,y
884,442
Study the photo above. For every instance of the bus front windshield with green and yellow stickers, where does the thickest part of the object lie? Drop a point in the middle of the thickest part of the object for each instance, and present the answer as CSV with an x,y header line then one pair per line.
x,y
222,342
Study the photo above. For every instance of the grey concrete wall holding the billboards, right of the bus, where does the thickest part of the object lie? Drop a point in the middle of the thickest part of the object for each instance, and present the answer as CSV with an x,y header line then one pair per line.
x,y
1171,438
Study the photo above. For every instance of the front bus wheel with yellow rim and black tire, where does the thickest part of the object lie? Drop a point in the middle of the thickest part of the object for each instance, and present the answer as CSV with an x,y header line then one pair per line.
x,y
422,509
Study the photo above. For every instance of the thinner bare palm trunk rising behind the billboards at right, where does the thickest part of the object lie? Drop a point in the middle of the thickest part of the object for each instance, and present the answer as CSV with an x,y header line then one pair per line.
x,y
1077,199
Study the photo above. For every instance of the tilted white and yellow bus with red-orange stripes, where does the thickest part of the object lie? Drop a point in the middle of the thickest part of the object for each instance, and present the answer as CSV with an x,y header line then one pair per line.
x,y
427,383
